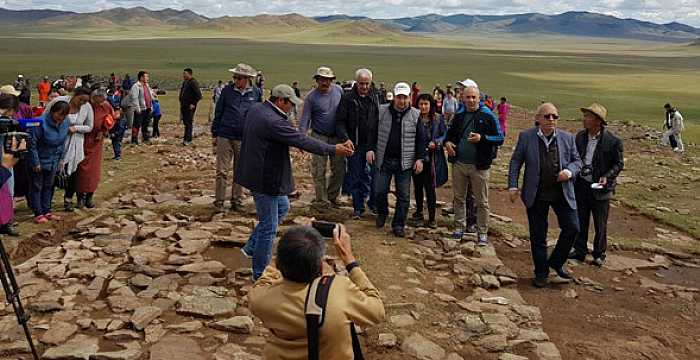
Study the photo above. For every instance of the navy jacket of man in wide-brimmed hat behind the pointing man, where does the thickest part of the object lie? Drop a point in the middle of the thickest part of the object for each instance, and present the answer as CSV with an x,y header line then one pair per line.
x,y
231,111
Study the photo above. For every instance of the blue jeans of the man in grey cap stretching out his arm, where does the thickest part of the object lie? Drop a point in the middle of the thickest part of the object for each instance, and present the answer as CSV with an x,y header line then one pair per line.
x,y
271,211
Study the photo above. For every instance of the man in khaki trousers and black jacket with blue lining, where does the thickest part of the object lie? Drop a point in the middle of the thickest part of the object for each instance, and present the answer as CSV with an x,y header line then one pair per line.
x,y
471,142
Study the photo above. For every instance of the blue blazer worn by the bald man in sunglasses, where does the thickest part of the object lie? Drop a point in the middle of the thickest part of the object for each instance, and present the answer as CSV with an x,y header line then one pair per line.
x,y
527,152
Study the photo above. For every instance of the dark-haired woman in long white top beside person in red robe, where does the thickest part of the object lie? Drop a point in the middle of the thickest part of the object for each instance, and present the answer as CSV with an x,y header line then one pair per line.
x,y
81,119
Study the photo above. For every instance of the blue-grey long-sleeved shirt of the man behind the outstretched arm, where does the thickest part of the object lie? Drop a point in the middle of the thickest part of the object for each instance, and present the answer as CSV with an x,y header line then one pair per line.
x,y
319,111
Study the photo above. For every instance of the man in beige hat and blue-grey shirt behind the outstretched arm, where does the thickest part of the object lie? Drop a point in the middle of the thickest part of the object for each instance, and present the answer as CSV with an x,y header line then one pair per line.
x,y
318,115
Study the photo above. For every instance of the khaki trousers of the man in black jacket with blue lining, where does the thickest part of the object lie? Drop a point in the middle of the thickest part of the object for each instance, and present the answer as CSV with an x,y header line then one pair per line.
x,y
464,175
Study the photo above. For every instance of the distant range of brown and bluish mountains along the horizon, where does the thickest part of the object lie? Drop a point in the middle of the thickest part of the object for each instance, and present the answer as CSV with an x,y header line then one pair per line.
x,y
567,24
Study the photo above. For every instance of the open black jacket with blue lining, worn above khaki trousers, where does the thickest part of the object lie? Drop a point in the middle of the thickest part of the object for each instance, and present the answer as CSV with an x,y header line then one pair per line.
x,y
485,124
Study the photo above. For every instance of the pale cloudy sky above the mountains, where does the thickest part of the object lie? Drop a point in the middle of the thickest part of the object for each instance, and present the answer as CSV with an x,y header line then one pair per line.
x,y
659,11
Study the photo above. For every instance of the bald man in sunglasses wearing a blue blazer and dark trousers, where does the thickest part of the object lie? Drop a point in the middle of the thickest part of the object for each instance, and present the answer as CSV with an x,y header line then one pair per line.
x,y
551,165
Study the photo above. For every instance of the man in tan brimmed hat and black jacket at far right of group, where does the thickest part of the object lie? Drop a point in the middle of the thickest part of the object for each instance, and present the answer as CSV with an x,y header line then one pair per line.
x,y
602,155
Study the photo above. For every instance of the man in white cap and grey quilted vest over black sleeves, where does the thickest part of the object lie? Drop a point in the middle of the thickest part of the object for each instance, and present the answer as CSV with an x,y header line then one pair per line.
x,y
398,150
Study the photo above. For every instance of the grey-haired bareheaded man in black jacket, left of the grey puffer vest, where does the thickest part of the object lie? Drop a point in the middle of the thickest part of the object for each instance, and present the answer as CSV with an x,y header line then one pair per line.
x,y
355,119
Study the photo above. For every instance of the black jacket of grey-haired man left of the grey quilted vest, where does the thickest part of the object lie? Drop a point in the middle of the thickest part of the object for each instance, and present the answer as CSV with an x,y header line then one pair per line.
x,y
347,118
